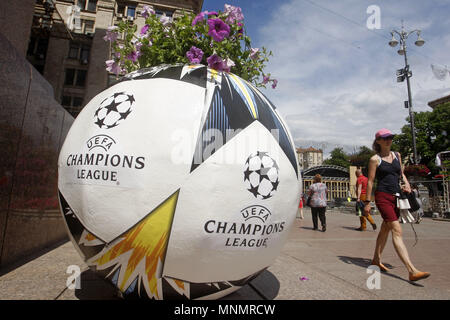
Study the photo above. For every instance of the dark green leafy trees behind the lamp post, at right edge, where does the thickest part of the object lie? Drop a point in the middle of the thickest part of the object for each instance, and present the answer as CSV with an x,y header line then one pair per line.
x,y
432,135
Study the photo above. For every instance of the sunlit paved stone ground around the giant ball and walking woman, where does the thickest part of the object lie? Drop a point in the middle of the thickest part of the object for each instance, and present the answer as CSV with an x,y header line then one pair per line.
x,y
312,265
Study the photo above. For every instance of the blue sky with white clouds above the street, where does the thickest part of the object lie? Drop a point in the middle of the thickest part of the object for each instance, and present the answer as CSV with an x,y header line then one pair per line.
x,y
336,77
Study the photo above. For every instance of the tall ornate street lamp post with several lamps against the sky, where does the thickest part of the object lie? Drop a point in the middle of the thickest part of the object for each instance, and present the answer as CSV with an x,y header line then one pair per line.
x,y
406,73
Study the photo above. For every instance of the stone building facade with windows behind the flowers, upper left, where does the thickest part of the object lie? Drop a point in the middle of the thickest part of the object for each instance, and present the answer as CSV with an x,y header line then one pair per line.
x,y
67,46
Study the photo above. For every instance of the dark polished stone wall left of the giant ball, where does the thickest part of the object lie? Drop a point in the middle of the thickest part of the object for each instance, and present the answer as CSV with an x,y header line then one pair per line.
x,y
32,129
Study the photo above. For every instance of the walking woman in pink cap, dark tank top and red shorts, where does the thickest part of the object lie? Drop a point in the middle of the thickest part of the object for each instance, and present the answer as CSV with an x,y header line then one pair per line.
x,y
386,167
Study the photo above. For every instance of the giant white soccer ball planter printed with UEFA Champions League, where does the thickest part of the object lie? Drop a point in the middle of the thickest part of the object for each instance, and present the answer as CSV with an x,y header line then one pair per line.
x,y
179,182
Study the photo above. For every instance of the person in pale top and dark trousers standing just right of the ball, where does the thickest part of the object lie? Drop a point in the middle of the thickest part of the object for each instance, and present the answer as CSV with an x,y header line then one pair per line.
x,y
318,194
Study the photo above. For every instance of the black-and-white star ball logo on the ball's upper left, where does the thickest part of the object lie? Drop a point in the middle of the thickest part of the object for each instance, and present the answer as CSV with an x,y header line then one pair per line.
x,y
113,110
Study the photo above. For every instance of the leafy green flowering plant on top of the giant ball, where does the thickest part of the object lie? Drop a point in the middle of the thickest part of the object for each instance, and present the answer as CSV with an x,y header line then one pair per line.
x,y
168,43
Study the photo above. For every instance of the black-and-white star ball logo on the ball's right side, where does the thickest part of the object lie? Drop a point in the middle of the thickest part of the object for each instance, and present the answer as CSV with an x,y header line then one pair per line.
x,y
261,175
